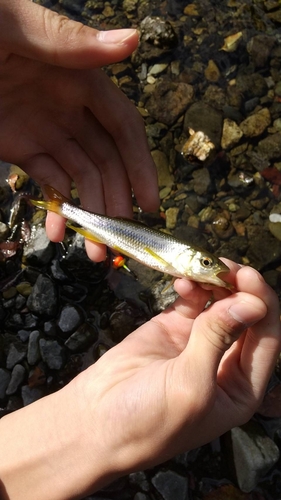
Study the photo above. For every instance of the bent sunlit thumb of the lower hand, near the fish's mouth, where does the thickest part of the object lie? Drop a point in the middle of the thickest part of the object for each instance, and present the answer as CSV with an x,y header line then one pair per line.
x,y
218,327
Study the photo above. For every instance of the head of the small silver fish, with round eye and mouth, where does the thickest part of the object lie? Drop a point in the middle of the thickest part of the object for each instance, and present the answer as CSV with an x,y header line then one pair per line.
x,y
202,266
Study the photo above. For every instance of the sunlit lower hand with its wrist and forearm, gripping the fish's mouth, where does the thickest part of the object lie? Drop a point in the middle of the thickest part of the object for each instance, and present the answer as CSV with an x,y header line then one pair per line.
x,y
177,382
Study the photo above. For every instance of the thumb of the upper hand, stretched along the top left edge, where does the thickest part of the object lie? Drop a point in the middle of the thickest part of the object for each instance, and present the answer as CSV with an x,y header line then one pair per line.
x,y
32,31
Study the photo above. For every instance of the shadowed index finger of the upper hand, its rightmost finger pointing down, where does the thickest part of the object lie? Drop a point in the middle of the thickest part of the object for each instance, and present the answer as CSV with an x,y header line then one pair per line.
x,y
126,127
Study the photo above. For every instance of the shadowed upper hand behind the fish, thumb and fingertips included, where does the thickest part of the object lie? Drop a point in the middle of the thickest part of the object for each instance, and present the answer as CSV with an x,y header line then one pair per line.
x,y
62,120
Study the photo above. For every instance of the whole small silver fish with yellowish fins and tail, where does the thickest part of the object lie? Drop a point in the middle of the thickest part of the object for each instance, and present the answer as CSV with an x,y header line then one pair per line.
x,y
153,248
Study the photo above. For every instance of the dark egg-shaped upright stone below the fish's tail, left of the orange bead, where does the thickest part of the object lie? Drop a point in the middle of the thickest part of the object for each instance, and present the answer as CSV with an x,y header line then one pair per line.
x,y
43,298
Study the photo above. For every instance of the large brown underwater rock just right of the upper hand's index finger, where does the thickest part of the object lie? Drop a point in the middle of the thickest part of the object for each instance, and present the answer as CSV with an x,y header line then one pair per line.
x,y
176,96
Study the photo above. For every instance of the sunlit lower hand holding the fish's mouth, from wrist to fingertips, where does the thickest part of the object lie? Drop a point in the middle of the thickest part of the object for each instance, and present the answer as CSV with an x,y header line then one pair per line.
x,y
187,376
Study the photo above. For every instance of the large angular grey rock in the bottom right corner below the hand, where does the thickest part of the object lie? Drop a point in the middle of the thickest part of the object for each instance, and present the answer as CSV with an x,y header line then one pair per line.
x,y
254,454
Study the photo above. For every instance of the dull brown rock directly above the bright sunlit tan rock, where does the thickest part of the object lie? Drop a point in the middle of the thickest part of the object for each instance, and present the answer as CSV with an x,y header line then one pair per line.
x,y
202,117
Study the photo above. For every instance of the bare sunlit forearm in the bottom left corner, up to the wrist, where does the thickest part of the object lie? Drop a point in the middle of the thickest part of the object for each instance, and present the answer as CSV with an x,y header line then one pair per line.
x,y
47,451
